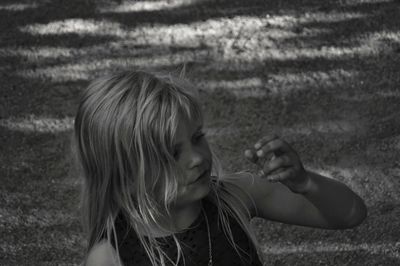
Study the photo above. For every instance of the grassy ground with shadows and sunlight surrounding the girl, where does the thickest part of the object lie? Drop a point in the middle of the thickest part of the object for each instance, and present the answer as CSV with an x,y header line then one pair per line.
x,y
323,74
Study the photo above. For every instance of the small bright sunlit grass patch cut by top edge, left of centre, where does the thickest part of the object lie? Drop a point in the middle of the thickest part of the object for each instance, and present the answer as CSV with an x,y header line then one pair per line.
x,y
135,6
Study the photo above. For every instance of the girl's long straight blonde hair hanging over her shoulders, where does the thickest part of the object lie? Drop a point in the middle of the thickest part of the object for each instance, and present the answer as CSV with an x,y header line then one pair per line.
x,y
125,128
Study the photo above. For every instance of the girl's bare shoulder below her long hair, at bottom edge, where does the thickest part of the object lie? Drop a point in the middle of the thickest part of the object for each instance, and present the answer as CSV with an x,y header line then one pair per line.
x,y
102,254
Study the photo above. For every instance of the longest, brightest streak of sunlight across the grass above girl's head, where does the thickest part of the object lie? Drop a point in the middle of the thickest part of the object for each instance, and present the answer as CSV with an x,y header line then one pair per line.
x,y
204,31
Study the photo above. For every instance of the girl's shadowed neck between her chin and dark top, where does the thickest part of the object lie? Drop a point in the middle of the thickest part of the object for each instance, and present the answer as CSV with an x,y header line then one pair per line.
x,y
183,218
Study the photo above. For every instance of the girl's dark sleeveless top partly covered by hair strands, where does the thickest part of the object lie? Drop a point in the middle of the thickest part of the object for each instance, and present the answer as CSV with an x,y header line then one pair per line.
x,y
194,242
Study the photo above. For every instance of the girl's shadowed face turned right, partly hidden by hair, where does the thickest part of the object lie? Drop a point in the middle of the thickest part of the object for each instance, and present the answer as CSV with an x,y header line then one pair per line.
x,y
193,155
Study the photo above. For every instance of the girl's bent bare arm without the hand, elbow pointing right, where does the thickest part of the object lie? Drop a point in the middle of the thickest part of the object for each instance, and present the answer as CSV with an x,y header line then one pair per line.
x,y
326,203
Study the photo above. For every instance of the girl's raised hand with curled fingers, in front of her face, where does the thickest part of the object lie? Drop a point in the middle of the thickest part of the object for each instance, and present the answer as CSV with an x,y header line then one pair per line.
x,y
279,162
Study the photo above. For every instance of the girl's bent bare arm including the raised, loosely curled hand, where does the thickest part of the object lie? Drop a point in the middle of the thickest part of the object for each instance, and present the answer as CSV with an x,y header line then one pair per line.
x,y
284,191
